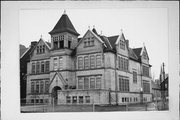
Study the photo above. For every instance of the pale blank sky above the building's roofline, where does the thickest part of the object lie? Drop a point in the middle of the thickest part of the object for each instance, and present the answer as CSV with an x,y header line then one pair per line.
x,y
139,25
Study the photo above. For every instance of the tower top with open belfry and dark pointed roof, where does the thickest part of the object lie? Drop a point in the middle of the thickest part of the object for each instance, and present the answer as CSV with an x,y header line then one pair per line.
x,y
63,35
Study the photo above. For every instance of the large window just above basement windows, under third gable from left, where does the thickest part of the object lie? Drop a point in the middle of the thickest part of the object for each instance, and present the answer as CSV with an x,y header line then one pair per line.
x,y
123,84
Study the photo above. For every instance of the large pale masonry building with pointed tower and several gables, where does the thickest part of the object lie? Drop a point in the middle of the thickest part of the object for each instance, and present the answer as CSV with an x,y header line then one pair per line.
x,y
92,69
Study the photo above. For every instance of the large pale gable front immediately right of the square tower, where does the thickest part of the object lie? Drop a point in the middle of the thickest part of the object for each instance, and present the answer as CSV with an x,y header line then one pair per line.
x,y
90,42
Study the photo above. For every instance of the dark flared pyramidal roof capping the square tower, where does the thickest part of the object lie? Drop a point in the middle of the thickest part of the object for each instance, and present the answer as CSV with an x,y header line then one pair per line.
x,y
64,25
